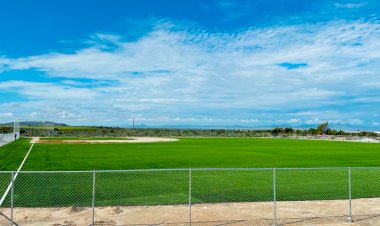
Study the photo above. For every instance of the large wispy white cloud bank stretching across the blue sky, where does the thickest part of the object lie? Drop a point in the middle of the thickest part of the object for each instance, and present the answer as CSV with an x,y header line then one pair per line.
x,y
188,73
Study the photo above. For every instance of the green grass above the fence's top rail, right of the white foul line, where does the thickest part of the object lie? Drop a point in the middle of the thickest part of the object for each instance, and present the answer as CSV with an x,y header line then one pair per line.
x,y
203,153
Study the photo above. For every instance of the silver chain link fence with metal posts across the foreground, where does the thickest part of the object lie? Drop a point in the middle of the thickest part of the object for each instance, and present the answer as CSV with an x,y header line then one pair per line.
x,y
192,197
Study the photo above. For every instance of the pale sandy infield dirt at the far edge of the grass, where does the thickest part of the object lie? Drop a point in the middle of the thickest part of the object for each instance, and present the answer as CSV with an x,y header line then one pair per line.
x,y
131,140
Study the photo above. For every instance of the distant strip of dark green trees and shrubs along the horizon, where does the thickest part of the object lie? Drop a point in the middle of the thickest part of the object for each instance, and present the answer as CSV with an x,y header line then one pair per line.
x,y
73,131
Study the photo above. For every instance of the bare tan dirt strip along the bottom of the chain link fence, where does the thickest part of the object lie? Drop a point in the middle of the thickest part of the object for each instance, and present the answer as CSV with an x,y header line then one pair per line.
x,y
332,213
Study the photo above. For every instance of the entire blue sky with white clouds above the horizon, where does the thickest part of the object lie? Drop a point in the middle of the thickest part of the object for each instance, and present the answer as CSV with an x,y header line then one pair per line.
x,y
254,63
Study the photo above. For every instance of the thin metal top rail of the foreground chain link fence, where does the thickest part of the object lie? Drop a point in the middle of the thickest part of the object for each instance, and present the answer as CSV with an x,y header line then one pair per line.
x,y
187,169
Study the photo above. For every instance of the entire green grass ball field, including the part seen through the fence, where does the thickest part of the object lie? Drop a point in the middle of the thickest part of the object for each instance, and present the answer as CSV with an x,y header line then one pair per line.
x,y
171,187
